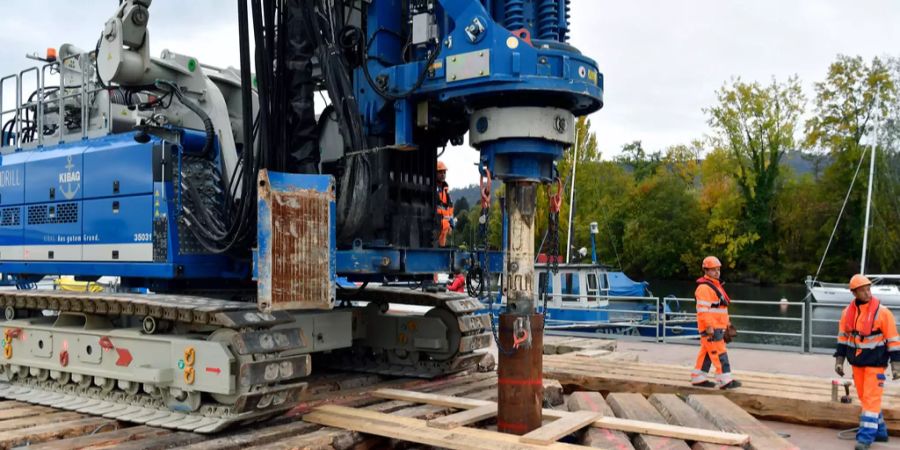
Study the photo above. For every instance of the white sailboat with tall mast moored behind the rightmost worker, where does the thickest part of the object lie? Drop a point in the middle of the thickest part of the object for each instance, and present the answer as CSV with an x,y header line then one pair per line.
x,y
884,286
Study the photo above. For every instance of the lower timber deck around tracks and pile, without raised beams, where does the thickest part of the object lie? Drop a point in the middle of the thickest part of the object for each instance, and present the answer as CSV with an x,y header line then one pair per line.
x,y
357,411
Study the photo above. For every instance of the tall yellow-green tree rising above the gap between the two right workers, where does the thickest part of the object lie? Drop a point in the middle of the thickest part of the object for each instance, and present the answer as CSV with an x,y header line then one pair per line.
x,y
756,124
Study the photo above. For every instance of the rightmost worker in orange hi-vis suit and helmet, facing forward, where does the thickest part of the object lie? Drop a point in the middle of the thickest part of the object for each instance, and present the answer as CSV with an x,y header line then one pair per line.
x,y
868,339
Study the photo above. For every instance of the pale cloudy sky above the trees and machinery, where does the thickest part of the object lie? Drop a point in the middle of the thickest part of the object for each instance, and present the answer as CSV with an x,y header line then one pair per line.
x,y
662,60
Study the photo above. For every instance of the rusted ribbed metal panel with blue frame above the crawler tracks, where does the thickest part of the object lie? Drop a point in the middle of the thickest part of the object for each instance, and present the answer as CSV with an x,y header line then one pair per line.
x,y
295,263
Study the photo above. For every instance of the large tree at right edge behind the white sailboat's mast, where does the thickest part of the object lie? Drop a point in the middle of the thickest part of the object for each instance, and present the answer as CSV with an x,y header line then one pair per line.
x,y
855,99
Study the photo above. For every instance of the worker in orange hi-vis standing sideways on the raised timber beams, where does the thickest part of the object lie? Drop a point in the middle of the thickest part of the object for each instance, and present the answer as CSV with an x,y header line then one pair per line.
x,y
715,327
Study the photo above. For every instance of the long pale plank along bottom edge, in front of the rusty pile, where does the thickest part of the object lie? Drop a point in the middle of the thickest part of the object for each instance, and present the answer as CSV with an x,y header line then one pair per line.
x,y
415,430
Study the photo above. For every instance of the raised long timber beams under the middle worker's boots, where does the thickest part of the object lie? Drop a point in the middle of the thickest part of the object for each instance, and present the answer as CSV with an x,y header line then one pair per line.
x,y
772,402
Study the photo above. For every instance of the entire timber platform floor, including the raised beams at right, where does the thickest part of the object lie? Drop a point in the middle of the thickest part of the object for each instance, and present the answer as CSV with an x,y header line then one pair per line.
x,y
595,396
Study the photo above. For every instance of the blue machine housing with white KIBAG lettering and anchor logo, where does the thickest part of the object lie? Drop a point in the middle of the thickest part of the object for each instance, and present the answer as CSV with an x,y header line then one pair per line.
x,y
102,206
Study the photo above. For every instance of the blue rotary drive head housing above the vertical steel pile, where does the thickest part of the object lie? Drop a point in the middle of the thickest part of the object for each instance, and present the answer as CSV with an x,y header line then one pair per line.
x,y
520,51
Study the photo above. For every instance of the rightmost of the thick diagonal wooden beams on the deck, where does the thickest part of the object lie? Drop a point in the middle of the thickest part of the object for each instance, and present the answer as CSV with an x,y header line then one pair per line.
x,y
728,416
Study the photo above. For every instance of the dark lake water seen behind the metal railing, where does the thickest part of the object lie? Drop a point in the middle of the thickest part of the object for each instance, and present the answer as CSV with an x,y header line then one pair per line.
x,y
760,323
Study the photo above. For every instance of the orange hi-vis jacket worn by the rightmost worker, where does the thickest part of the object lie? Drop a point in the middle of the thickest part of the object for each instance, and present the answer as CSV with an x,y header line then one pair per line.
x,y
868,335
